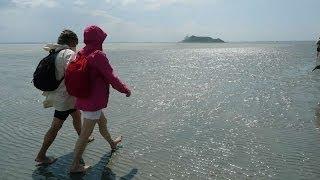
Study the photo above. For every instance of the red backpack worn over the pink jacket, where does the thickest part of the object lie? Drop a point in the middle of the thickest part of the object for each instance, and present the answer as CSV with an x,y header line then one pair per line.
x,y
77,79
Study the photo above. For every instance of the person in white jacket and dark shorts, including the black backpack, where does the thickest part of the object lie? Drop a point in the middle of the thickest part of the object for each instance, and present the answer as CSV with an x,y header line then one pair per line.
x,y
49,77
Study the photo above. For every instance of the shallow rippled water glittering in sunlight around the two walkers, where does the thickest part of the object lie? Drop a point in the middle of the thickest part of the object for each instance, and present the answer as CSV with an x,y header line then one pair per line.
x,y
198,111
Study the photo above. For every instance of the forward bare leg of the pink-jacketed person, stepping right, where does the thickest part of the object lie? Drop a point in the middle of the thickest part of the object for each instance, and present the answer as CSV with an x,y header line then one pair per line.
x,y
102,122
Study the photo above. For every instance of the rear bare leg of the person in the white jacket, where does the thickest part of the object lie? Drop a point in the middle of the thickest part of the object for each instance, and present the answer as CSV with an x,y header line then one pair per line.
x,y
49,138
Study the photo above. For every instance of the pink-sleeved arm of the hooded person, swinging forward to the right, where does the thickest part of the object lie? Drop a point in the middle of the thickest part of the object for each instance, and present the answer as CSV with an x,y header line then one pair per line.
x,y
104,68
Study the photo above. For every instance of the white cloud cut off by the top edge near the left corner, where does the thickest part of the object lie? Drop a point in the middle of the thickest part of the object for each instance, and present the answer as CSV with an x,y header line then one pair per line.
x,y
35,3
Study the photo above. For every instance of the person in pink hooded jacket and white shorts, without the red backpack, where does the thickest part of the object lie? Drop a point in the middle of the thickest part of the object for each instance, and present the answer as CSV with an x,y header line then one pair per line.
x,y
101,77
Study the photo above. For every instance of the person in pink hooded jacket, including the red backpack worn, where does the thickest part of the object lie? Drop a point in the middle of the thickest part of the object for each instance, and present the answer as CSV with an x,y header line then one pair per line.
x,y
92,68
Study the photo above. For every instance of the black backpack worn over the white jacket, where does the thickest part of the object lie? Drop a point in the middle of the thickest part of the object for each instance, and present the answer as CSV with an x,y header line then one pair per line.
x,y
44,77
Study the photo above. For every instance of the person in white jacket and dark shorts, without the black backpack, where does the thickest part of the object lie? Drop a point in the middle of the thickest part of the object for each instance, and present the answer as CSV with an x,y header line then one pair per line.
x,y
59,99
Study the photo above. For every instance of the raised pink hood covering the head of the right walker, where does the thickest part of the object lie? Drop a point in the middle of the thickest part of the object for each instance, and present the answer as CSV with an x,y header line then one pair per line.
x,y
94,36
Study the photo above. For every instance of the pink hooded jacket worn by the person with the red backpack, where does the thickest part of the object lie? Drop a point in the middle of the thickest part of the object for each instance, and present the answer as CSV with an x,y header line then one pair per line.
x,y
101,72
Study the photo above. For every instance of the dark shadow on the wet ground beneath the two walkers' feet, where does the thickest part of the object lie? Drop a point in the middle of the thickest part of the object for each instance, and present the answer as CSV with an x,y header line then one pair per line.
x,y
60,170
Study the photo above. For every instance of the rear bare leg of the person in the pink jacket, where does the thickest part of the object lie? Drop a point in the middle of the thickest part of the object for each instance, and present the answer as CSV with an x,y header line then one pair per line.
x,y
87,128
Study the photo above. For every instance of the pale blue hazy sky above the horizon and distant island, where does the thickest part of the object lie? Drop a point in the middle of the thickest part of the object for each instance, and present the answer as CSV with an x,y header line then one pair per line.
x,y
161,20
